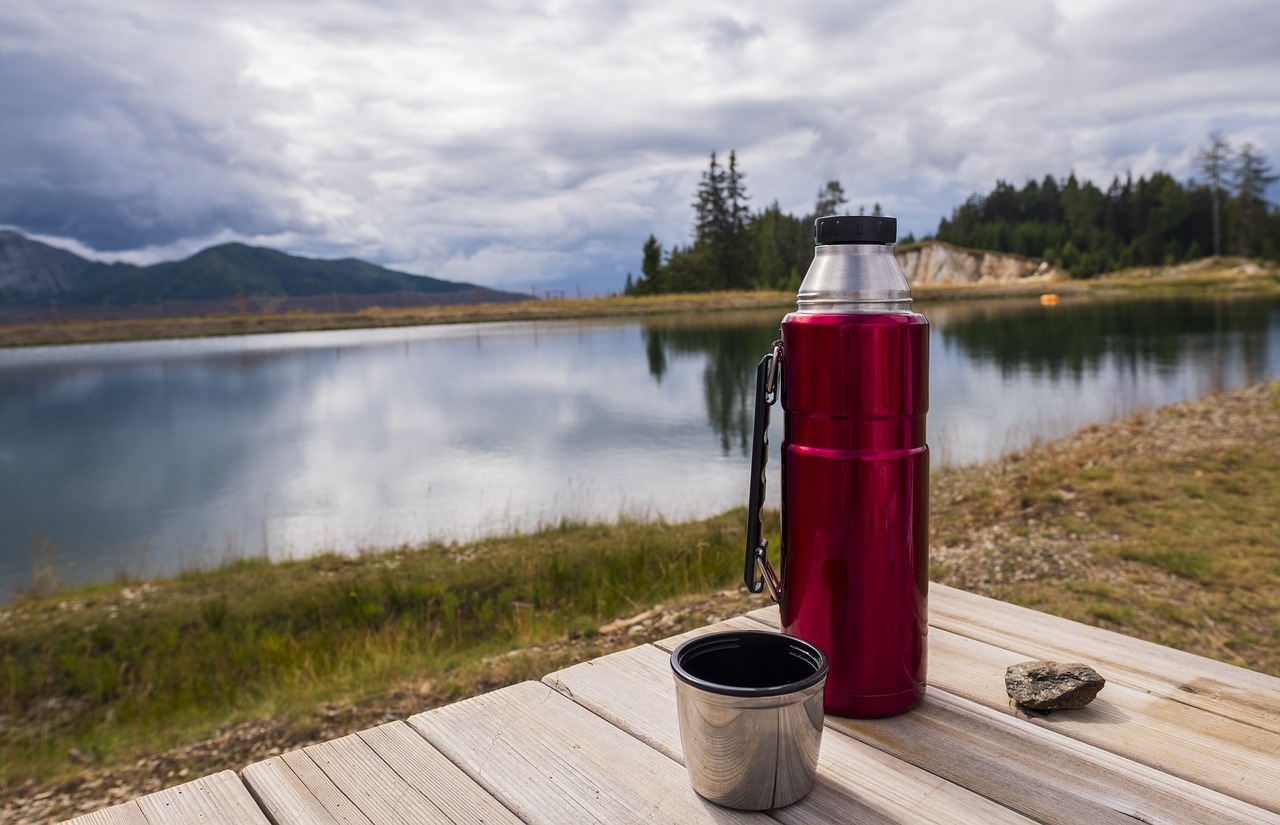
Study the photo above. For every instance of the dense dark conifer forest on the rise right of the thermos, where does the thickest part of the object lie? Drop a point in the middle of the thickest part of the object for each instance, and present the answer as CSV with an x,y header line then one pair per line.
x,y
1149,222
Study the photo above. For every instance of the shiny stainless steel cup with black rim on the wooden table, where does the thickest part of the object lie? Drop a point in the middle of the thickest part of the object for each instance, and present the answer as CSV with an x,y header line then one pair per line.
x,y
751,717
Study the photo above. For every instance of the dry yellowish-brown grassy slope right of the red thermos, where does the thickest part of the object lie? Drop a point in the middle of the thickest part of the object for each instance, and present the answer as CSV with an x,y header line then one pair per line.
x,y
1173,521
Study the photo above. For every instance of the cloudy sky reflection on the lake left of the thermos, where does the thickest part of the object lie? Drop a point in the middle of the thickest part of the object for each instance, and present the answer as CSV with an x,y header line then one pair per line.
x,y
153,457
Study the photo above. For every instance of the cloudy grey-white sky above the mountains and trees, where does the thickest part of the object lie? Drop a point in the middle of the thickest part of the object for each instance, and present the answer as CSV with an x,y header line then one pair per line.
x,y
534,146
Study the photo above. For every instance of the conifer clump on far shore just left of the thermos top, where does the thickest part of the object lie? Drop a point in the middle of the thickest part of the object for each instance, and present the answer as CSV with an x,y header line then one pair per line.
x,y
734,247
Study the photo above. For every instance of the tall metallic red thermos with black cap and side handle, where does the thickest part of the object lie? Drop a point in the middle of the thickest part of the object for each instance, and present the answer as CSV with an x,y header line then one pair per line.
x,y
853,372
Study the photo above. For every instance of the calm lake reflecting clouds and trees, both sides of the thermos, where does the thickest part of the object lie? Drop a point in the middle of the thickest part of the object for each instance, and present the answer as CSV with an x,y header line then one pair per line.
x,y
152,457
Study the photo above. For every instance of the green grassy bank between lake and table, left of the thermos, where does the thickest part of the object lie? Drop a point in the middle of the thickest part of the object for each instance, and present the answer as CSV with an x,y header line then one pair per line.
x,y
115,672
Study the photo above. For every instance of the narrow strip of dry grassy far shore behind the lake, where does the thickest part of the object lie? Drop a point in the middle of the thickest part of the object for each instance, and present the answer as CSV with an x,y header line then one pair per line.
x,y
1208,277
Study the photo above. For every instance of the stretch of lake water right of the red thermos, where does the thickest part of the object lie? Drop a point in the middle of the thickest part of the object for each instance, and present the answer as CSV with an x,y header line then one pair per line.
x,y
1005,375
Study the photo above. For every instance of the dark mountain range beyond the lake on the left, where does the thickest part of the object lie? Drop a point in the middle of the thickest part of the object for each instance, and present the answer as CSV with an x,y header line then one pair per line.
x,y
36,277
